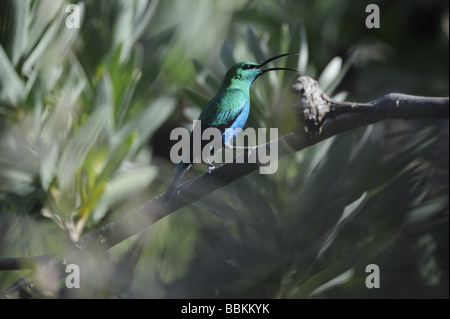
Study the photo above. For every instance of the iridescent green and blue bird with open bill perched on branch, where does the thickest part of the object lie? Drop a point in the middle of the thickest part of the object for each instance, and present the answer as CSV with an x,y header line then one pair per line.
x,y
228,110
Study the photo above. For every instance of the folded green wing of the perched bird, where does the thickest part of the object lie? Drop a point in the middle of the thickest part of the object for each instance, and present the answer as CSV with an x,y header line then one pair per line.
x,y
223,109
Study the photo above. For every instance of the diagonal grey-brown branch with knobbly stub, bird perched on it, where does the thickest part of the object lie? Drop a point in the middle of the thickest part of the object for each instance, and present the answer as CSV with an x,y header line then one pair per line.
x,y
319,118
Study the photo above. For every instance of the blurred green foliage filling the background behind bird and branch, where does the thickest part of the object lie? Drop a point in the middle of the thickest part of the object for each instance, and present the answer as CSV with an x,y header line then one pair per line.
x,y
85,120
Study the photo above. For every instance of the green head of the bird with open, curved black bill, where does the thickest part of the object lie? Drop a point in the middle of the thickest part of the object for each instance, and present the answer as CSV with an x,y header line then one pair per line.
x,y
245,73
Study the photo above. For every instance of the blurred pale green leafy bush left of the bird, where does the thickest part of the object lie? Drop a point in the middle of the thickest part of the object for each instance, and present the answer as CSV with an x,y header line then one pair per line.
x,y
76,116
